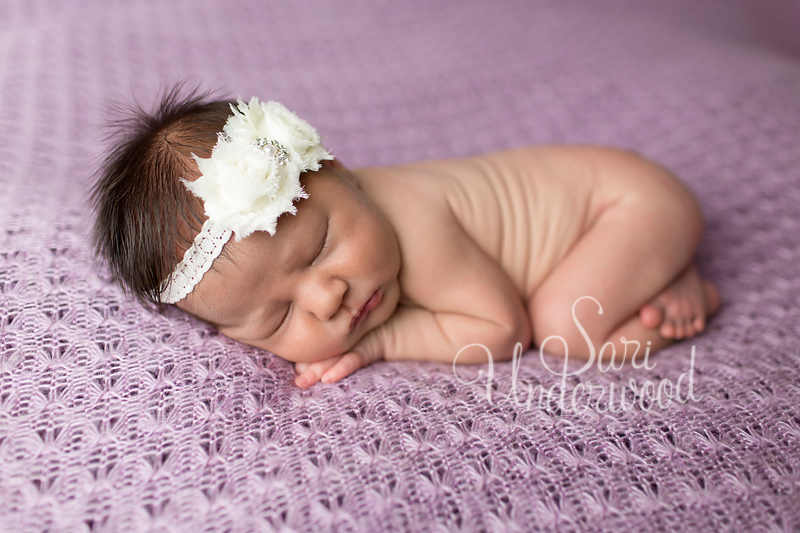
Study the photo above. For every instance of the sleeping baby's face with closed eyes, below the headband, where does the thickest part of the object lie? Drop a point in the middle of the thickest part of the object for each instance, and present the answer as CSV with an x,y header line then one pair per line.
x,y
328,275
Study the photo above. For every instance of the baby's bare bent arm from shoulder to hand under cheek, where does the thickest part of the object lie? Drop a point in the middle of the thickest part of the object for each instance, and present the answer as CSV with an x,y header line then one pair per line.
x,y
460,297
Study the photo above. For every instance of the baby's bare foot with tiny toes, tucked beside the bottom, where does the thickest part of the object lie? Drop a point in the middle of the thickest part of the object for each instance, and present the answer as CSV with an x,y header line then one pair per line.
x,y
681,310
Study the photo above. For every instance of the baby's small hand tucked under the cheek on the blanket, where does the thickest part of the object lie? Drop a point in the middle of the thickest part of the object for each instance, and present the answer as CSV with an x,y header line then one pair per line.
x,y
367,351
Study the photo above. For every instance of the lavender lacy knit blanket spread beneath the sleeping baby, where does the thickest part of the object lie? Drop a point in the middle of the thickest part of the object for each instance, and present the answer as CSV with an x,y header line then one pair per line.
x,y
116,419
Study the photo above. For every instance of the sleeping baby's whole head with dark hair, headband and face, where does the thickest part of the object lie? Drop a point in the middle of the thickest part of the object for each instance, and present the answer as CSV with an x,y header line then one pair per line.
x,y
237,215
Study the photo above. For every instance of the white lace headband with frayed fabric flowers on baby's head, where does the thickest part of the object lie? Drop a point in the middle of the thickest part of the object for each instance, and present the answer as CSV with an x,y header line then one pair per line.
x,y
251,179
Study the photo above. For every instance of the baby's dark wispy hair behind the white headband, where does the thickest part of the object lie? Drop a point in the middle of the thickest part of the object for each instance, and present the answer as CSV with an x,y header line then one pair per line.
x,y
145,218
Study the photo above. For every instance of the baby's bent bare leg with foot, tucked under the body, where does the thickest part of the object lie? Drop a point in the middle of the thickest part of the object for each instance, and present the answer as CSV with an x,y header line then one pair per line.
x,y
635,256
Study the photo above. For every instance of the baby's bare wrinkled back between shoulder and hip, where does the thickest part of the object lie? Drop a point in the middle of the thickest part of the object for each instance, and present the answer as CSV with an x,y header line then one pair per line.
x,y
525,208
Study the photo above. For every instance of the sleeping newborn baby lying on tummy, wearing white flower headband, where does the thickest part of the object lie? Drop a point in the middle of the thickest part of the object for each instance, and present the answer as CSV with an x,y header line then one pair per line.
x,y
236,214
